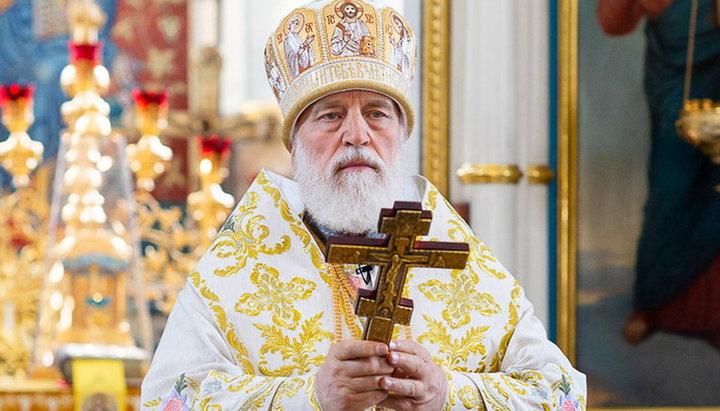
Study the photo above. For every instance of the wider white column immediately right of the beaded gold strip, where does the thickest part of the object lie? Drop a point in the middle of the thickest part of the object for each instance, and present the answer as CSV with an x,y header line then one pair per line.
x,y
482,126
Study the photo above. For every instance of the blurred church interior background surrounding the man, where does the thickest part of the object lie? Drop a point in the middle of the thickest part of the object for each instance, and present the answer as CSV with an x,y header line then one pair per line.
x,y
131,129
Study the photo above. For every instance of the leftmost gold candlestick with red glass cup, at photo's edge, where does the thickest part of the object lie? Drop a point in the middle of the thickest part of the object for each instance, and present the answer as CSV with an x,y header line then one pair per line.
x,y
23,215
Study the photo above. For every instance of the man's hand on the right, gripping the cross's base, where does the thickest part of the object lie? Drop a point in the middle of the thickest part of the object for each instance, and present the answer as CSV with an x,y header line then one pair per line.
x,y
417,383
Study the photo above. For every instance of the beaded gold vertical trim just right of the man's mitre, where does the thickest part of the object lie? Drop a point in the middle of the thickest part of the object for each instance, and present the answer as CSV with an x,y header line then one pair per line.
x,y
436,68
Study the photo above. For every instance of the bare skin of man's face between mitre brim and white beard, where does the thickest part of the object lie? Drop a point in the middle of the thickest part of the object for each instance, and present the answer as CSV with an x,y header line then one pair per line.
x,y
355,118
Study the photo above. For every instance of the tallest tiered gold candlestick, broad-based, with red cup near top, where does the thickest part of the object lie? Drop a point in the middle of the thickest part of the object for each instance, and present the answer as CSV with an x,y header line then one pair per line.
x,y
94,260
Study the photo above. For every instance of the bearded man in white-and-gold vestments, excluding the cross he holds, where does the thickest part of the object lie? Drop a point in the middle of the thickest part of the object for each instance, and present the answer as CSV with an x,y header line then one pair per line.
x,y
265,323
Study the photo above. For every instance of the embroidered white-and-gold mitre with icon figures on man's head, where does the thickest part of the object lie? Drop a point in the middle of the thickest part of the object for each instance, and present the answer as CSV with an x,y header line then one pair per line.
x,y
326,47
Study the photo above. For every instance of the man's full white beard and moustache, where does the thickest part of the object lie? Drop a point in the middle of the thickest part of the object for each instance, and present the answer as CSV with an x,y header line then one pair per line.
x,y
347,202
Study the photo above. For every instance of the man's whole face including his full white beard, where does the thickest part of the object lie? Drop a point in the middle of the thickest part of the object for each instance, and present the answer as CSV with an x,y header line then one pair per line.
x,y
347,156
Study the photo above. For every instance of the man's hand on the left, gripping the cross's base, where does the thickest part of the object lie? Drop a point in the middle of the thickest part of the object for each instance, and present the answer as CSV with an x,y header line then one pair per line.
x,y
350,377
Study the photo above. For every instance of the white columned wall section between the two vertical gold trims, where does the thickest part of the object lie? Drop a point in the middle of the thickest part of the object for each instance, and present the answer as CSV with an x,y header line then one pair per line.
x,y
499,115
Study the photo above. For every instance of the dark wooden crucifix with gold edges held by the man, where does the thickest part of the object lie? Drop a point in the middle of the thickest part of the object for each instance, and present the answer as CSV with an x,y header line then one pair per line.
x,y
384,306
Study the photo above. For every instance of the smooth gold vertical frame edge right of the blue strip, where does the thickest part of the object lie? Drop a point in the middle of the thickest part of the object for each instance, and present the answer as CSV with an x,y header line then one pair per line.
x,y
567,176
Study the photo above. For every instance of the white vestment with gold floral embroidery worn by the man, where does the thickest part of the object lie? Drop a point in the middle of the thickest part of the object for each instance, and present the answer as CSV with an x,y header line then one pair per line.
x,y
262,309
